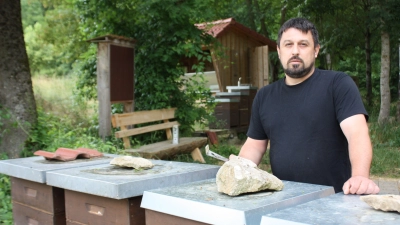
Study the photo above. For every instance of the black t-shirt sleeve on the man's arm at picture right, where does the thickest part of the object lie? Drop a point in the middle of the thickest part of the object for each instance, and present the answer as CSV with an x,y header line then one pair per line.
x,y
348,101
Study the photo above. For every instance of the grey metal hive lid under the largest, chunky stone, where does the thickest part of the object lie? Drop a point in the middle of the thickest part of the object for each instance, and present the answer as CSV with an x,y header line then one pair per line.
x,y
200,201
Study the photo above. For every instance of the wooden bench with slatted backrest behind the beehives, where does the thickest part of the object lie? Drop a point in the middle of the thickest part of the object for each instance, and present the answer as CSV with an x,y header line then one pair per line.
x,y
159,150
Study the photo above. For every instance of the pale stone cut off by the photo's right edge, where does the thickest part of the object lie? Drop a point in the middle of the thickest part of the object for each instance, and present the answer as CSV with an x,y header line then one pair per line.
x,y
383,202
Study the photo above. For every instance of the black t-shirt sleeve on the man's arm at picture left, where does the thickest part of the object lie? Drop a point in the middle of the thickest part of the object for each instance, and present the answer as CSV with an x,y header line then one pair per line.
x,y
256,130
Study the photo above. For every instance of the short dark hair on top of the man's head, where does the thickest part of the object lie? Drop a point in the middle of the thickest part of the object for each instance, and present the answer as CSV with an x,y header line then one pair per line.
x,y
301,24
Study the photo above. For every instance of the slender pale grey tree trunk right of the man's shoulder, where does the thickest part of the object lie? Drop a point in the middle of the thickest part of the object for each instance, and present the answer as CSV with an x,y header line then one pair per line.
x,y
384,112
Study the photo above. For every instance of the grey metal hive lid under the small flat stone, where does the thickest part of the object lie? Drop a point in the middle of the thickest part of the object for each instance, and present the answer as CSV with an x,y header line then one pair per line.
x,y
119,183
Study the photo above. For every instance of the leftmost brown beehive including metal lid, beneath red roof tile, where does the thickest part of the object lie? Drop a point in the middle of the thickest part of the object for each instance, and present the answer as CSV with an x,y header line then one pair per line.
x,y
35,202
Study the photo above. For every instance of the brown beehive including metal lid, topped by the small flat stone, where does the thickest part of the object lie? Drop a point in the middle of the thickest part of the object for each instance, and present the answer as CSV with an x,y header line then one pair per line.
x,y
104,194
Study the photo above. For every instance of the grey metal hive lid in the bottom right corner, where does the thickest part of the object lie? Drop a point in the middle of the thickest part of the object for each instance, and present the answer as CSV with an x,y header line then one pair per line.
x,y
334,209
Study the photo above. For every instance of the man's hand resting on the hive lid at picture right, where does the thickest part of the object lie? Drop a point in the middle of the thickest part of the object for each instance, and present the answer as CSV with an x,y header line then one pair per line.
x,y
360,185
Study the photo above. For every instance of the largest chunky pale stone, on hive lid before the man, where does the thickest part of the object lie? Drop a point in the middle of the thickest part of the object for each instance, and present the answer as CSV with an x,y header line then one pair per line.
x,y
240,175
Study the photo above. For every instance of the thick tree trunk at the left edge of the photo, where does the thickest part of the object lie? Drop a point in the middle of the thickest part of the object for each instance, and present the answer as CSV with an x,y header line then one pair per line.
x,y
17,103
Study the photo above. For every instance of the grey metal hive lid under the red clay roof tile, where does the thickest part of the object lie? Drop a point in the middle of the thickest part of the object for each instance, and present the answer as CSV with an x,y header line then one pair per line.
x,y
35,168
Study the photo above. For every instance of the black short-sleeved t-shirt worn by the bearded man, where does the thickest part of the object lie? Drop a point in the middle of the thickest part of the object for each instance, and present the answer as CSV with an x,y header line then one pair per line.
x,y
302,123
